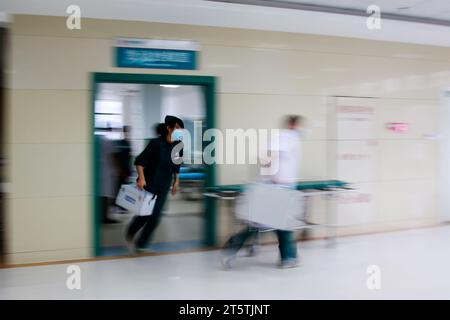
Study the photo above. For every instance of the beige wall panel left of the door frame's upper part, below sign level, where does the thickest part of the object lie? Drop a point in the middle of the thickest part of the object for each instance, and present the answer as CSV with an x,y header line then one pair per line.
x,y
51,116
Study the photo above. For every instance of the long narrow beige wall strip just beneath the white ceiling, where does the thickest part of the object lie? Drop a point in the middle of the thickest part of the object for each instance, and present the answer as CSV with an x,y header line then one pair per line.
x,y
107,29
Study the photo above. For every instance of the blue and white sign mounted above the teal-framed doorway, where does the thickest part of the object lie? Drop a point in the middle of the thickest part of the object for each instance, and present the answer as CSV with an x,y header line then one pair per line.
x,y
156,54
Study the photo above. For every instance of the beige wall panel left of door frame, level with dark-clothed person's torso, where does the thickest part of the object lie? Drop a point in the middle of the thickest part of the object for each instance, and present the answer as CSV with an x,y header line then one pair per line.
x,y
50,170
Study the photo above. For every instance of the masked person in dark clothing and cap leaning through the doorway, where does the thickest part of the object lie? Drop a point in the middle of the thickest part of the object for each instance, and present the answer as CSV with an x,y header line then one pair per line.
x,y
157,172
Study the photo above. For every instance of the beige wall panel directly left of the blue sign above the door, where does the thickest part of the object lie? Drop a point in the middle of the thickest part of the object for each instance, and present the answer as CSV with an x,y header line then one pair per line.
x,y
57,63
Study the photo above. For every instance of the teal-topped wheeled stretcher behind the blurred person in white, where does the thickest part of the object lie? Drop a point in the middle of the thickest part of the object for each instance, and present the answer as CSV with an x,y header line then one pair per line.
x,y
327,189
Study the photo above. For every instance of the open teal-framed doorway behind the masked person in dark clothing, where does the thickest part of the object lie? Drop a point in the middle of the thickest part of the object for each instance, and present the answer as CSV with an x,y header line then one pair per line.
x,y
127,107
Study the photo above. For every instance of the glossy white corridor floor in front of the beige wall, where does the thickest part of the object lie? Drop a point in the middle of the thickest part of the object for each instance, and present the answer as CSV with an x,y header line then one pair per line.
x,y
413,264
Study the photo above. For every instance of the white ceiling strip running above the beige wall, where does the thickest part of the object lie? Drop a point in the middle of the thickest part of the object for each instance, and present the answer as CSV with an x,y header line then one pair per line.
x,y
207,13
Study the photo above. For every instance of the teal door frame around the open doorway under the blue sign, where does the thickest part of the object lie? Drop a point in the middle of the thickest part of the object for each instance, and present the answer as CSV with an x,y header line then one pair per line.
x,y
208,84
